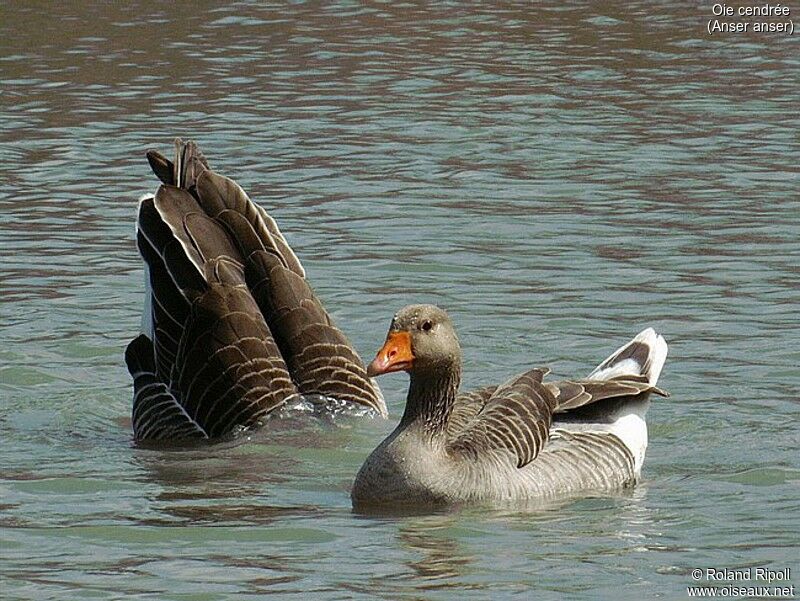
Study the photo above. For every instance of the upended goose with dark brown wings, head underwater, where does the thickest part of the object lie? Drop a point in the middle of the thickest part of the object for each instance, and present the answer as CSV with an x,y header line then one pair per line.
x,y
231,329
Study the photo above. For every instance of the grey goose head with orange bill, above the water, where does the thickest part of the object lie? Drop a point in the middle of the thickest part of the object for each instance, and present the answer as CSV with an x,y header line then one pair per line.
x,y
421,340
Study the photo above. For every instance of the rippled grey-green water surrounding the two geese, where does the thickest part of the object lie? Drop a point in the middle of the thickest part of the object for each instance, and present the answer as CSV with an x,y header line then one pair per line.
x,y
557,176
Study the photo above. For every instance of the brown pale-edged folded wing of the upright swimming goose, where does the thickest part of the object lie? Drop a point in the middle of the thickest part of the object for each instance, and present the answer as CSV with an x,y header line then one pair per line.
x,y
515,419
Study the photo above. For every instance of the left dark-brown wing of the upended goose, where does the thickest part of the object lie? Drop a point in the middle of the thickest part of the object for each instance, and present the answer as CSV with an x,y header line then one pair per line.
x,y
216,366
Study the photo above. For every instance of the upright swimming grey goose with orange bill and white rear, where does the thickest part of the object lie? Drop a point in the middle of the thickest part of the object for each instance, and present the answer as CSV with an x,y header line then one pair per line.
x,y
524,439
